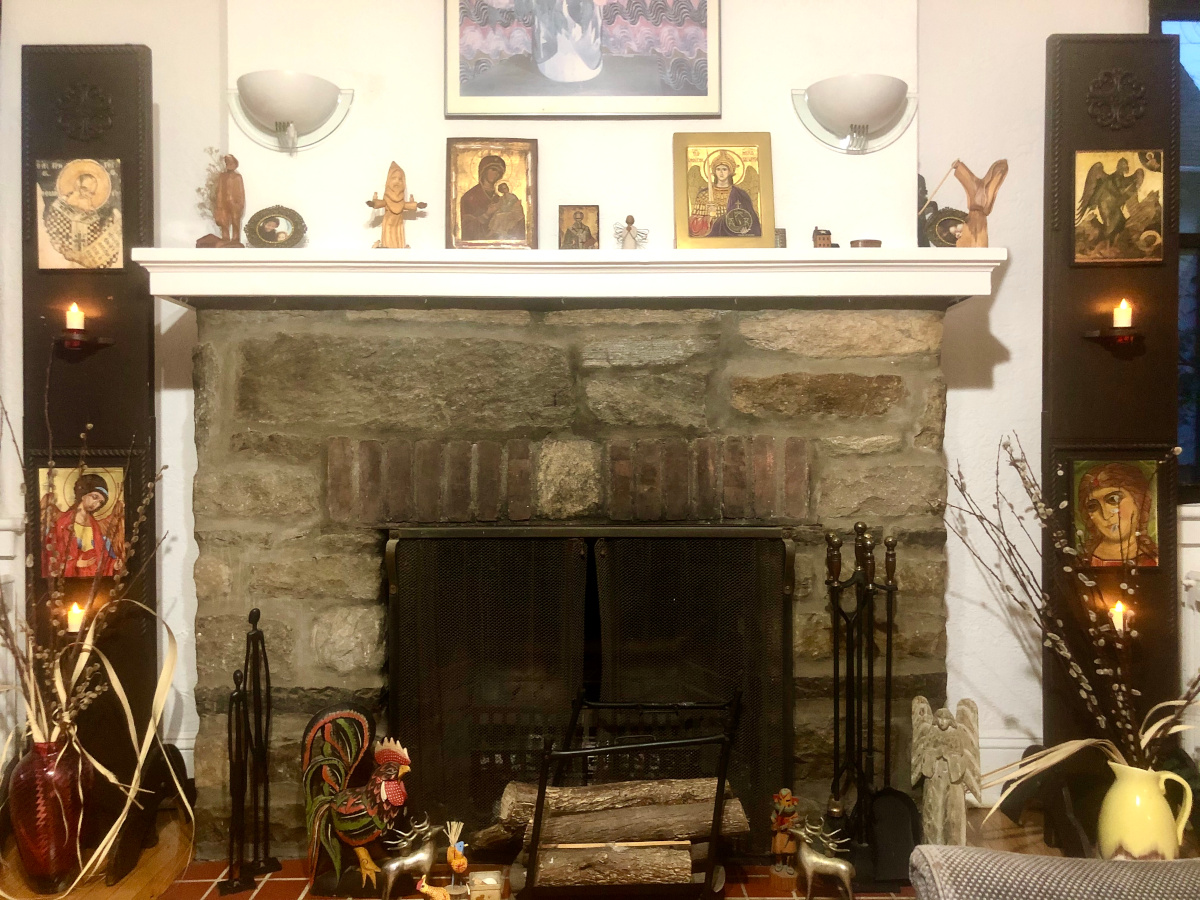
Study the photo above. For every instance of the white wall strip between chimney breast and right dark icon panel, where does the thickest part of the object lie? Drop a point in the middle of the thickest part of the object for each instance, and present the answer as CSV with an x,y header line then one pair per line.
x,y
983,99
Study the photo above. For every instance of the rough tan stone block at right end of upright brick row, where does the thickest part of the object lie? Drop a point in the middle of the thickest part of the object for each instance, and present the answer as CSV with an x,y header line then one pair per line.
x,y
866,491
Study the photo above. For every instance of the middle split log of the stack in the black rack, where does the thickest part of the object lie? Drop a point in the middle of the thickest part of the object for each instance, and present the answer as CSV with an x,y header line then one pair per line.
x,y
686,821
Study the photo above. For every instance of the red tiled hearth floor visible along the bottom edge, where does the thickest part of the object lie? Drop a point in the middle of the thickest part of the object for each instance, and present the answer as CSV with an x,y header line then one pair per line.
x,y
201,880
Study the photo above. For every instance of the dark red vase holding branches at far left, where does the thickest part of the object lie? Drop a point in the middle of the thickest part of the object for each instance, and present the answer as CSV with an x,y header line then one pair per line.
x,y
46,809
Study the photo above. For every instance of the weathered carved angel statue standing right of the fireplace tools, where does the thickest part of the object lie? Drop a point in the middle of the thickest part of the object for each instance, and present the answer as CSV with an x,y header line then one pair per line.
x,y
946,754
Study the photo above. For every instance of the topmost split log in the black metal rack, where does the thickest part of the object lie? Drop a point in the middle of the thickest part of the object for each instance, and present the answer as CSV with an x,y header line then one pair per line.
x,y
519,799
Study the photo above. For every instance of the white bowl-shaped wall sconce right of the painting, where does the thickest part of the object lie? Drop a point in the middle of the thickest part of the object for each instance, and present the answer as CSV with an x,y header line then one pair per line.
x,y
856,113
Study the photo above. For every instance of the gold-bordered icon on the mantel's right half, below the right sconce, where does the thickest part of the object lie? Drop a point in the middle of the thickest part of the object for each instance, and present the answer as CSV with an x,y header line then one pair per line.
x,y
723,188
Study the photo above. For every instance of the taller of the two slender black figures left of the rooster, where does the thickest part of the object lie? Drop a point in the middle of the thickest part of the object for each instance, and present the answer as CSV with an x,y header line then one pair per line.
x,y
259,687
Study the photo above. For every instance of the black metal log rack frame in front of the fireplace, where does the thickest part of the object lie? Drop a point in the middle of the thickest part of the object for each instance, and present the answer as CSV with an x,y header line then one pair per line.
x,y
553,771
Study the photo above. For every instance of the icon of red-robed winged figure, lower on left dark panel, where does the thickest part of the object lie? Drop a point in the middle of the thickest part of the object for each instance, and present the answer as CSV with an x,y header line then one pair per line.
x,y
76,542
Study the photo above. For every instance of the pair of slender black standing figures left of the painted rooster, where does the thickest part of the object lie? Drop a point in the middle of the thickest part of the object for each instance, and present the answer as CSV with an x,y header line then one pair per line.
x,y
249,736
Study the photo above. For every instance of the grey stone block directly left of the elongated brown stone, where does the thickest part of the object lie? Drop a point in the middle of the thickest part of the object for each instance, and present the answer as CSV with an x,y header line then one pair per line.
x,y
643,399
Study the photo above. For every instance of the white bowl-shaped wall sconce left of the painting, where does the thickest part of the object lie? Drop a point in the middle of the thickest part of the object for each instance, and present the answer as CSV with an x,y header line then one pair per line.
x,y
289,111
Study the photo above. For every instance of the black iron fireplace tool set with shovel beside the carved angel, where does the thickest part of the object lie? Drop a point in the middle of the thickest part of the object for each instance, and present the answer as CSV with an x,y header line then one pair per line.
x,y
884,824
